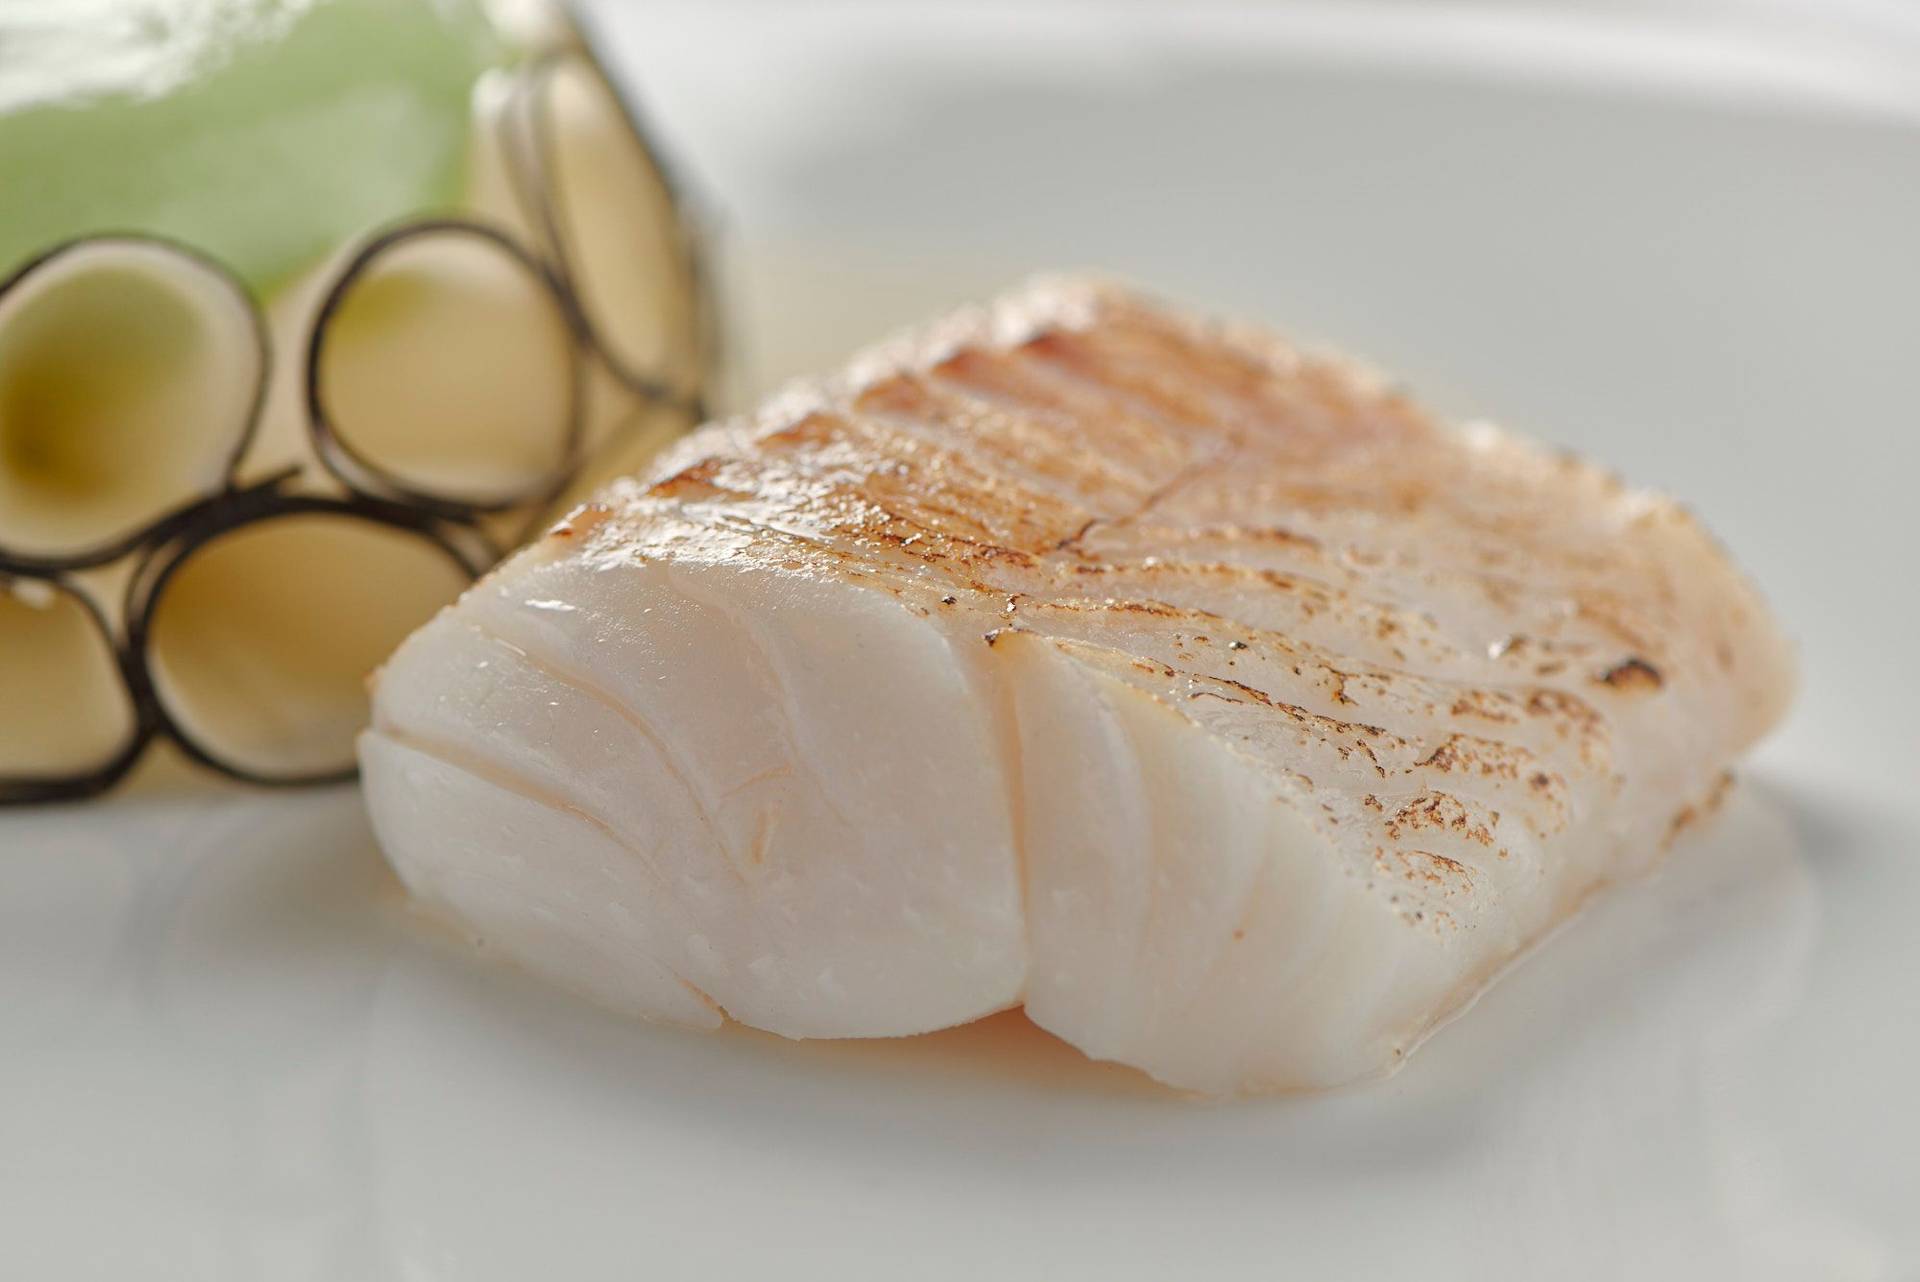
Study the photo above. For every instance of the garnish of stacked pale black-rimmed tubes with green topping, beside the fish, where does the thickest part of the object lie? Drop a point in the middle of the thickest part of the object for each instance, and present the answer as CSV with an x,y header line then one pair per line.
x,y
235,477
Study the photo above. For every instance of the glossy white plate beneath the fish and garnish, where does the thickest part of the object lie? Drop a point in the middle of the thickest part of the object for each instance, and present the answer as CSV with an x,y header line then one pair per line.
x,y
1681,239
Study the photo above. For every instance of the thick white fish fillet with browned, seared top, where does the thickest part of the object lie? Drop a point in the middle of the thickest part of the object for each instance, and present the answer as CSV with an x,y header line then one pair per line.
x,y
1193,692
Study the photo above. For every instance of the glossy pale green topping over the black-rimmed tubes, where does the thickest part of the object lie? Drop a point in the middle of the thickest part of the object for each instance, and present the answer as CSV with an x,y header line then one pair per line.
x,y
260,131
